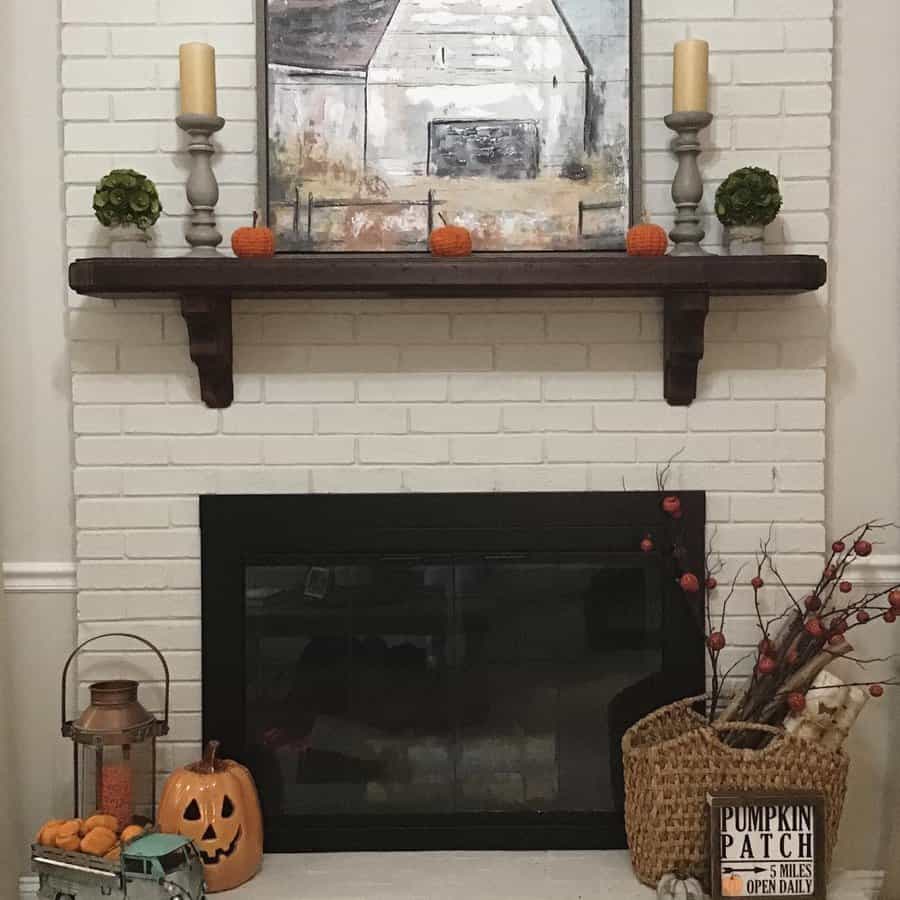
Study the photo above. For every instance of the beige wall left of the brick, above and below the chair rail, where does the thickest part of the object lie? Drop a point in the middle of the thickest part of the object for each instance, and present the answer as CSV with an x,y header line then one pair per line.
x,y
36,630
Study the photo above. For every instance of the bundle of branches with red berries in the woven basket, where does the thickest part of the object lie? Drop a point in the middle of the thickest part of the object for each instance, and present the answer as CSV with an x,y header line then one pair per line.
x,y
796,645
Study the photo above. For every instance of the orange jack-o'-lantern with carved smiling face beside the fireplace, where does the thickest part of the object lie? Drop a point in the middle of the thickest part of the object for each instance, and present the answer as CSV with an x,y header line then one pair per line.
x,y
214,803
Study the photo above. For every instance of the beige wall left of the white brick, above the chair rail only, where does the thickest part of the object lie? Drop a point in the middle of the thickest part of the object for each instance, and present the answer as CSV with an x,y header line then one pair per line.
x,y
35,467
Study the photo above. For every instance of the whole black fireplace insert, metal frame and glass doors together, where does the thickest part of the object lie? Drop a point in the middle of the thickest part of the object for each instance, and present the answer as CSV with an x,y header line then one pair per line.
x,y
452,671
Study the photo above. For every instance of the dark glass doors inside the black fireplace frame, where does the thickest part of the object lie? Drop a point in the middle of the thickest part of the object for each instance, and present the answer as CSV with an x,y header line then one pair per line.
x,y
384,686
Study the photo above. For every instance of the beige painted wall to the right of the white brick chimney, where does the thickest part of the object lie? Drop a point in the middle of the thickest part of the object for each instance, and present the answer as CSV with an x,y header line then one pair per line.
x,y
864,373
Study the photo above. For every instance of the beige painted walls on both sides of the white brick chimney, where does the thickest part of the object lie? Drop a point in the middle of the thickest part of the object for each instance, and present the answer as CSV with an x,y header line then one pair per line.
x,y
35,467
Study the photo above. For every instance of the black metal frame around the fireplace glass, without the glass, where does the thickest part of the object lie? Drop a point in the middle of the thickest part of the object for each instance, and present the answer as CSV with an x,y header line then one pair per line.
x,y
245,530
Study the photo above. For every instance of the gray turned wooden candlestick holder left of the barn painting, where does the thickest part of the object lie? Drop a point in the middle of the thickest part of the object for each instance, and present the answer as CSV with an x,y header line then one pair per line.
x,y
202,187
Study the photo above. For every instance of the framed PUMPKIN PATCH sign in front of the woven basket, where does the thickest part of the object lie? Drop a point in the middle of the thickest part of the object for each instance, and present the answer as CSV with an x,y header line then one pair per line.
x,y
786,865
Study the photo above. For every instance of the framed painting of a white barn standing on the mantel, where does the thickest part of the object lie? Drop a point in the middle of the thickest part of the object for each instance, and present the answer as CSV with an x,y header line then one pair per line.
x,y
535,197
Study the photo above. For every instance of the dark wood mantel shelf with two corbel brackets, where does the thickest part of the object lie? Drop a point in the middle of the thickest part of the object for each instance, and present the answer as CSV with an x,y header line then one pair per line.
x,y
206,288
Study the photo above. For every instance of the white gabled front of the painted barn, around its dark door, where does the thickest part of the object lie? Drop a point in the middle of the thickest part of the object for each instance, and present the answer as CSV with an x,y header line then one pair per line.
x,y
507,61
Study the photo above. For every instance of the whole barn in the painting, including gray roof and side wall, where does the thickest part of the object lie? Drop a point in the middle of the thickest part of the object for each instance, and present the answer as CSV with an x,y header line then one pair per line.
x,y
405,88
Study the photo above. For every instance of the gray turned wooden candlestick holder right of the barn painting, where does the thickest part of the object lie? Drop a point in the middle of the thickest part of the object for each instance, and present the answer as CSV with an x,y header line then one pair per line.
x,y
687,188
